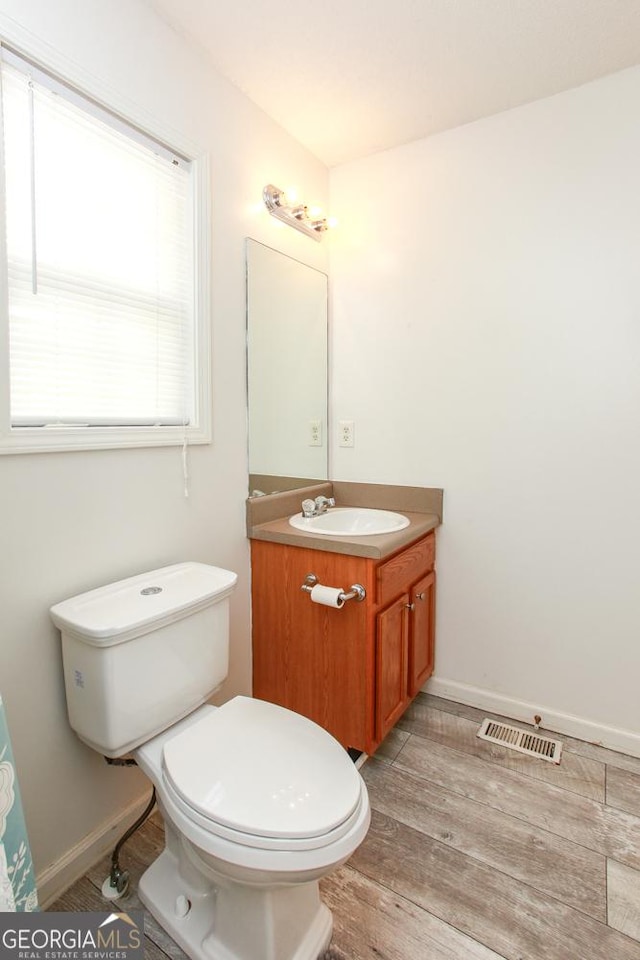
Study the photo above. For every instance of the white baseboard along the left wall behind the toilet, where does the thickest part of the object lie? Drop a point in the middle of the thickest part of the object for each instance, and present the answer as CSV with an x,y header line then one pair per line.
x,y
60,875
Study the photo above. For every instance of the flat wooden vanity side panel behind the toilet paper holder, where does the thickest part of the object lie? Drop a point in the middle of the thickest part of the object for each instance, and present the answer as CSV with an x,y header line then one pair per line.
x,y
315,660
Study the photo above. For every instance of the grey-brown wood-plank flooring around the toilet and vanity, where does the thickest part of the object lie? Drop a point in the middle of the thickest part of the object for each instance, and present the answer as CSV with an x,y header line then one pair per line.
x,y
475,852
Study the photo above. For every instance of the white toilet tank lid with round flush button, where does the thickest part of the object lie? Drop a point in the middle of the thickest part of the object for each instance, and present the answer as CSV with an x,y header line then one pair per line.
x,y
122,610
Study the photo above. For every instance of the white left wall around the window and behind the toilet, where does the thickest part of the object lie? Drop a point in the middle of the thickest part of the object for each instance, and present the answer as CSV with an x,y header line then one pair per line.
x,y
73,521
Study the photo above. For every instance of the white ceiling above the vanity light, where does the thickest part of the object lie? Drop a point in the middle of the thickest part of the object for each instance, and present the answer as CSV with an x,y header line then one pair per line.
x,y
351,77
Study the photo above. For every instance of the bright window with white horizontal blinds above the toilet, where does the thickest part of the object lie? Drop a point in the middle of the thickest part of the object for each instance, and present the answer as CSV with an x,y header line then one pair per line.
x,y
105,278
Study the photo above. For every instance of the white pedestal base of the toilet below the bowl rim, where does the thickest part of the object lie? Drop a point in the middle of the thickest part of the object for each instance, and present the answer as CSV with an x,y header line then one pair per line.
x,y
230,921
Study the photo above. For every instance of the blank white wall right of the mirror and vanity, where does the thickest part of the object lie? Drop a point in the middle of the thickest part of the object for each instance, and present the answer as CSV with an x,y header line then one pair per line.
x,y
486,339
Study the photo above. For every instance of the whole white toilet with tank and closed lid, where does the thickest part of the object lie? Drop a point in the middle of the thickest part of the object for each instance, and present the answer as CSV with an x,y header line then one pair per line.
x,y
258,802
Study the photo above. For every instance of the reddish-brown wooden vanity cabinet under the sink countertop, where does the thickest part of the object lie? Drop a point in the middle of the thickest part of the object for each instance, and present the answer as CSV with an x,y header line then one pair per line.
x,y
353,670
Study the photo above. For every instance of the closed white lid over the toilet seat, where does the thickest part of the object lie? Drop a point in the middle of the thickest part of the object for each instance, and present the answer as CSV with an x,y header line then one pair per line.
x,y
263,770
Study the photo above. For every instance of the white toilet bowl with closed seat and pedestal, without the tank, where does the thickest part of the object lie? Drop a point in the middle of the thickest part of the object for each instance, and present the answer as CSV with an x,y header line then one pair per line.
x,y
259,804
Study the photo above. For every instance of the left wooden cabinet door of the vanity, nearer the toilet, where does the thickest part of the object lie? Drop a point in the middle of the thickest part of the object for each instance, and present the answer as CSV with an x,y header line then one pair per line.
x,y
392,637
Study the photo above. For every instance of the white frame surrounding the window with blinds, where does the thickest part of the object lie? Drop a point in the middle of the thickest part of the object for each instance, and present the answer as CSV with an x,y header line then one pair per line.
x,y
59,438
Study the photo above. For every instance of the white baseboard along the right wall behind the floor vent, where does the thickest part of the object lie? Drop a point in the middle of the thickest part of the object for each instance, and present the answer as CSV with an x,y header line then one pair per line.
x,y
614,738
